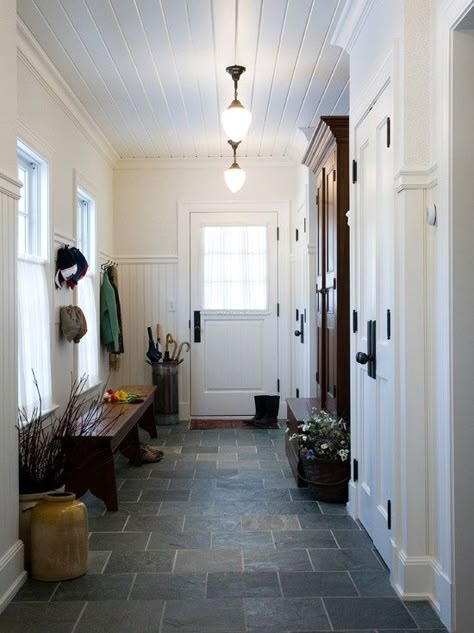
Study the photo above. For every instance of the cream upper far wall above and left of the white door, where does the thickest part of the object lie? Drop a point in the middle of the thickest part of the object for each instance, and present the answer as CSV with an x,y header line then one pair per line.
x,y
146,198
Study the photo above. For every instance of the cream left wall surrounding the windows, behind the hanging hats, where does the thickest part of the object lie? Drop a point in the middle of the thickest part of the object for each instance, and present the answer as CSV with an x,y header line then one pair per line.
x,y
44,125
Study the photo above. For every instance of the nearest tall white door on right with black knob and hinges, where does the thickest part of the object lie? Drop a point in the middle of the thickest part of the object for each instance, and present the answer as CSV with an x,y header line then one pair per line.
x,y
373,391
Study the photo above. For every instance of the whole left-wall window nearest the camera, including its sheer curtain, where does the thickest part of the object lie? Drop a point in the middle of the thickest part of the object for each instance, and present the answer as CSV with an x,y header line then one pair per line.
x,y
34,321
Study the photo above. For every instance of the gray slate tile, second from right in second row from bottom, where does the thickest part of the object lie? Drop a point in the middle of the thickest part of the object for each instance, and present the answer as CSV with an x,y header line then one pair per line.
x,y
305,584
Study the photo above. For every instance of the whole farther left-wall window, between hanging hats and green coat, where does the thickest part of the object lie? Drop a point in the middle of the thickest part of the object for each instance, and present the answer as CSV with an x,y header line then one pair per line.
x,y
88,349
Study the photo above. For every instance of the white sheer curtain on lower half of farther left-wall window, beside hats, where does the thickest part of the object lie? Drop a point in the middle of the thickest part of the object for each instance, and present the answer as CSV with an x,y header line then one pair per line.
x,y
88,349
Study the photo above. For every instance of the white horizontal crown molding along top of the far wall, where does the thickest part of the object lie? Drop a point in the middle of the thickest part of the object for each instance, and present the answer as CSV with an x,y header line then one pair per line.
x,y
201,163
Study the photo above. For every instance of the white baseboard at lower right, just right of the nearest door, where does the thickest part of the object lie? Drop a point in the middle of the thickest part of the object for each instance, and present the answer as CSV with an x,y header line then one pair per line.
x,y
421,578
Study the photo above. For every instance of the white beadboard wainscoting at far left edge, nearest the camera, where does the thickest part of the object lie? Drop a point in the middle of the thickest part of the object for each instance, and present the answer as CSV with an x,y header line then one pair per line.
x,y
12,574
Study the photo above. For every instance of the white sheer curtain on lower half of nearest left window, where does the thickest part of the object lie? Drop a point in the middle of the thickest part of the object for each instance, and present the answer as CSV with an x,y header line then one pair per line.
x,y
34,338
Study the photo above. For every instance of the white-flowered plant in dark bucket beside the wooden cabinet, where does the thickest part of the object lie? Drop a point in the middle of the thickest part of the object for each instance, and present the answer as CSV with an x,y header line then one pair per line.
x,y
324,451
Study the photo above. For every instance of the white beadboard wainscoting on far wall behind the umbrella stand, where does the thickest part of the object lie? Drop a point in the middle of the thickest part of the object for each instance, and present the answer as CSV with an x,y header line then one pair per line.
x,y
148,291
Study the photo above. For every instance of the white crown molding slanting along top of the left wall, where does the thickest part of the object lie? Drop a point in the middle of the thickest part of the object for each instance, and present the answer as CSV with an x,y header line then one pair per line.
x,y
31,54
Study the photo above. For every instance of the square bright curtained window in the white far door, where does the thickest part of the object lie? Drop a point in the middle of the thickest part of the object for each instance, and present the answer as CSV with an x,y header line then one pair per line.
x,y
235,268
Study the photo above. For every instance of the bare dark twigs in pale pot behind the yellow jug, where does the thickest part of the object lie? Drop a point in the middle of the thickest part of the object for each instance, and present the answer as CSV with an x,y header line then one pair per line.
x,y
40,453
